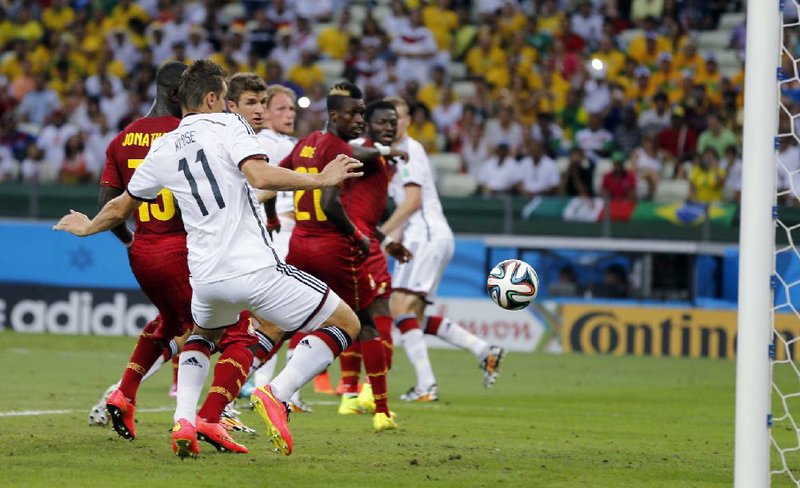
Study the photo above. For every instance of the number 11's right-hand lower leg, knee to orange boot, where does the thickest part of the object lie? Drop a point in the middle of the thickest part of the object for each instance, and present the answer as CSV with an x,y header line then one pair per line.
x,y
313,355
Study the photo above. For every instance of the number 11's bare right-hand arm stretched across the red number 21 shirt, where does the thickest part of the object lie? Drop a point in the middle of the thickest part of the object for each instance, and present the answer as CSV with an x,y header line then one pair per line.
x,y
267,177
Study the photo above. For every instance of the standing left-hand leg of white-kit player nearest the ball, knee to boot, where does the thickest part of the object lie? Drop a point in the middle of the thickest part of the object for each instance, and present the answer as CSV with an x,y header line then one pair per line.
x,y
408,308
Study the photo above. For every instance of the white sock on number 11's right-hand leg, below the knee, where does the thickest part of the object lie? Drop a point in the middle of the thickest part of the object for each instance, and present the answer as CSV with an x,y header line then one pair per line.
x,y
306,362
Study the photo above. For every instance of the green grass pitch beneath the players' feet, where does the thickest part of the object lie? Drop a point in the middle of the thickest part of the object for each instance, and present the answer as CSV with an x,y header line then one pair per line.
x,y
551,421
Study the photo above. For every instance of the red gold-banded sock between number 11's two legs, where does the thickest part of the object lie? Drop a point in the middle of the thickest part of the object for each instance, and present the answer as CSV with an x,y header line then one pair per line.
x,y
229,375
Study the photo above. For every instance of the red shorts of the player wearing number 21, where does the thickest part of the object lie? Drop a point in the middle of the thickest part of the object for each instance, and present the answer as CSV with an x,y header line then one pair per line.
x,y
334,260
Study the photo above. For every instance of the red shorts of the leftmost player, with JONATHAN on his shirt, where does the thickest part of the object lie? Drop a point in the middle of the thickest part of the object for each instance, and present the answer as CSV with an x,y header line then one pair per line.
x,y
158,262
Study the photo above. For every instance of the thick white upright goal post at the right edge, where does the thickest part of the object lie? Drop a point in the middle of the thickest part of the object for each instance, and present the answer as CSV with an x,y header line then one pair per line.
x,y
757,245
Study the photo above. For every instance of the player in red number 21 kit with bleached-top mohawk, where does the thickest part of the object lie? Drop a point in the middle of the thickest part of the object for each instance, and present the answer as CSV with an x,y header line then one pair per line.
x,y
330,246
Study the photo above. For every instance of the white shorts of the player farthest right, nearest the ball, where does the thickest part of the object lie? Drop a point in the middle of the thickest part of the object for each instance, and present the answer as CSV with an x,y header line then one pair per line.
x,y
423,273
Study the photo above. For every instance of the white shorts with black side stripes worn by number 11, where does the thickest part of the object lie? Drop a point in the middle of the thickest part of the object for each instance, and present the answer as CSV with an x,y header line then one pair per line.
x,y
291,299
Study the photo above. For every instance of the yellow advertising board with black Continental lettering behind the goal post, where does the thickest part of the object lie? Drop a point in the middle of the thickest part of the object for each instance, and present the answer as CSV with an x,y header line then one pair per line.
x,y
671,332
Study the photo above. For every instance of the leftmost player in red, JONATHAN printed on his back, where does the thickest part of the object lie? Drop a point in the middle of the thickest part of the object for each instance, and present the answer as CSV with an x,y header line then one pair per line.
x,y
158,259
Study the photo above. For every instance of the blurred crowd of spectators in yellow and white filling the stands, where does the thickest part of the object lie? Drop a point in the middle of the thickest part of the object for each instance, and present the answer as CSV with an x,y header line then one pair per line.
x,y
553,90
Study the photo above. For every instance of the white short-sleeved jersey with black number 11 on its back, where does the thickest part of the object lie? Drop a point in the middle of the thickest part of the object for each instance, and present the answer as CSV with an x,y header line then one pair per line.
x,y
199,163
